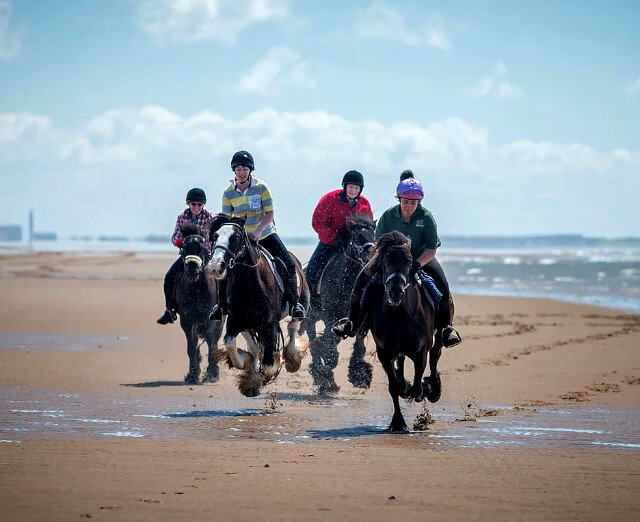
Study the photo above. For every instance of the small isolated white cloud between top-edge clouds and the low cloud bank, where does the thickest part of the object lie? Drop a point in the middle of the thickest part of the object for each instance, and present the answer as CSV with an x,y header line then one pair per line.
x,y
280,68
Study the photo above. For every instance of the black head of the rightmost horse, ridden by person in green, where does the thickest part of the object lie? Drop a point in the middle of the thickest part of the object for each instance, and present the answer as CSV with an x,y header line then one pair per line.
x,y
394,258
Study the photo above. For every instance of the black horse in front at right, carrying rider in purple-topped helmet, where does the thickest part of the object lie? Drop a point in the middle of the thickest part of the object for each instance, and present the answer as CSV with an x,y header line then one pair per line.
x,y
402,324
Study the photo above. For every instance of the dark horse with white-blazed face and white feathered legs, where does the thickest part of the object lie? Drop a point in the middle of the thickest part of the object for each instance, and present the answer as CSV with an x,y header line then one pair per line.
x,y
255,301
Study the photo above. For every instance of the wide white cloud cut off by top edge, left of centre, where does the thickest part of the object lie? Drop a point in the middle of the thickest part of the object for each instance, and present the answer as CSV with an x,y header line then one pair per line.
x,y
219,20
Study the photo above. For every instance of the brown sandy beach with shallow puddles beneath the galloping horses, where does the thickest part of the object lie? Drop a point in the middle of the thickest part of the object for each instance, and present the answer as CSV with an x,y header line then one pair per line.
x,y
539,416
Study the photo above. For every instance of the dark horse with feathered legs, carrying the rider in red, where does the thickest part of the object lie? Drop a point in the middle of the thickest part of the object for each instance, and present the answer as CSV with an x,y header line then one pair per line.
x,y
353,244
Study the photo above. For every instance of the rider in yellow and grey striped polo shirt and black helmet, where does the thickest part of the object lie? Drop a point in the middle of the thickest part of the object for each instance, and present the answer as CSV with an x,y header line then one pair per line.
x,y
249,196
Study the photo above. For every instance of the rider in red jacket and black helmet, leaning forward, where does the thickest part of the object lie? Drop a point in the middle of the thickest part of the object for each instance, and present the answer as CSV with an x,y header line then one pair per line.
x,y
329,216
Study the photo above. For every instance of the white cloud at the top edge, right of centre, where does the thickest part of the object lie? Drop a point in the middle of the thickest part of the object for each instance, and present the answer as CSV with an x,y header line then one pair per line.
x,y
382,22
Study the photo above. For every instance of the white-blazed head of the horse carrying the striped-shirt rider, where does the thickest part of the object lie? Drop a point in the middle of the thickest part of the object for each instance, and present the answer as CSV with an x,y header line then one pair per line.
x,y
229,243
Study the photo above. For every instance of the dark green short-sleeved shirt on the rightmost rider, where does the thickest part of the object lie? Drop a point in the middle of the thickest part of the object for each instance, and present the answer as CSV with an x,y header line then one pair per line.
x,y
422,228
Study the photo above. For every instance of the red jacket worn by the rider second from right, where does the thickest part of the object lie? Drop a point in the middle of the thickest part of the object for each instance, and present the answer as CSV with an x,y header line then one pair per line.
x,y
331,214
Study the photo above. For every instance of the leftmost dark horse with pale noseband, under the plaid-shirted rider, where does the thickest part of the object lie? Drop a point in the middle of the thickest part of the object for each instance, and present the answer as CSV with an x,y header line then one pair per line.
x,y
196,293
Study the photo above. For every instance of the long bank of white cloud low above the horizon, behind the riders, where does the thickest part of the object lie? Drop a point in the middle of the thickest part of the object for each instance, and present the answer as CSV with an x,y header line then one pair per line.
x,y
149,153
